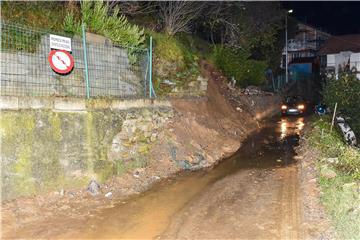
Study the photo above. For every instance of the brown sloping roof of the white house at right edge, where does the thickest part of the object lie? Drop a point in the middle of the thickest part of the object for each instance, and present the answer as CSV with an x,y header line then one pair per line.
x,y
337,44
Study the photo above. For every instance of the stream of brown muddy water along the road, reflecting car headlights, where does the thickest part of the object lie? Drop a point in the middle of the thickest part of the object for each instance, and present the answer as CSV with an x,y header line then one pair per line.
x,y
148,215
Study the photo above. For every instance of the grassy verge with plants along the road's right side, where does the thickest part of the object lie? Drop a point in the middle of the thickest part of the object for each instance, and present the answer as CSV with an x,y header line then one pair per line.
x,y
340,193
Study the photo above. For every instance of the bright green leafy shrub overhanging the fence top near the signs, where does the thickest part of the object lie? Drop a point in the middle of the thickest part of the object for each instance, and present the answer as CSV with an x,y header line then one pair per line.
x,y
115,26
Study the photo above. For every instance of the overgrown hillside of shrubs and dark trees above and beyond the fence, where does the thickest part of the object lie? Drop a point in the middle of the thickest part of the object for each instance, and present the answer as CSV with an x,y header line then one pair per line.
x,y
176,58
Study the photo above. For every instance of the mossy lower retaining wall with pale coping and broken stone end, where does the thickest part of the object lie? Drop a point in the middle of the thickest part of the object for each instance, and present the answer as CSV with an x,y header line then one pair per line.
x,y
49,144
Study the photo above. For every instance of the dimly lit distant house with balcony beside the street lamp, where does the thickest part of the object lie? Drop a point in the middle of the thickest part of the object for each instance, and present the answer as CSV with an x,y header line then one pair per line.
x,y
306,43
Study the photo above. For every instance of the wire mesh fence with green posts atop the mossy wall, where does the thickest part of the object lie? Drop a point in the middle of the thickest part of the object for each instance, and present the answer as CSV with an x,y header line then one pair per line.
x,y
112,71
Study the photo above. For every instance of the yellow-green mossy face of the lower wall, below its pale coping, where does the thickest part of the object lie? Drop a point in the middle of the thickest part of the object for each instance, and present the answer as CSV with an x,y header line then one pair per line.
x,y
43,150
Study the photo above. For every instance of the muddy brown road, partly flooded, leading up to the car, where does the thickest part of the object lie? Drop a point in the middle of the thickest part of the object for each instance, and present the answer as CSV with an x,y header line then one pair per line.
x,y
252,195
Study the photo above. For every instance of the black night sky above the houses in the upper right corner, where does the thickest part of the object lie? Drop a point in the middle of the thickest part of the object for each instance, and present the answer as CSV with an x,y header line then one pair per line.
x,y
337,18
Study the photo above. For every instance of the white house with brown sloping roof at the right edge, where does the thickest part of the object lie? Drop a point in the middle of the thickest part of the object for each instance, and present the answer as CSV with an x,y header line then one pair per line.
x,y
341,52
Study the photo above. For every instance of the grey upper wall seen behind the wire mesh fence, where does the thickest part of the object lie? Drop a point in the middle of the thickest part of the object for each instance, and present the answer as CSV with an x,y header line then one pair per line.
x,y
110,71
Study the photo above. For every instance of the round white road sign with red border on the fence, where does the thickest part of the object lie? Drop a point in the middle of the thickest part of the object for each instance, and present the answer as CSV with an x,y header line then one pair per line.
x,y
61,61
